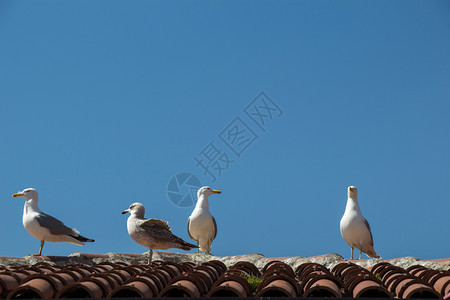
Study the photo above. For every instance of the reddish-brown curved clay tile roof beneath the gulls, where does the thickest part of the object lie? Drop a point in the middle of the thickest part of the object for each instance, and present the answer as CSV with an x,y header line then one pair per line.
x,y
214,279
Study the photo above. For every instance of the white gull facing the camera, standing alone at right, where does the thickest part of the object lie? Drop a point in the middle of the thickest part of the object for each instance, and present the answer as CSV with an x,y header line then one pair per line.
x,y
355,229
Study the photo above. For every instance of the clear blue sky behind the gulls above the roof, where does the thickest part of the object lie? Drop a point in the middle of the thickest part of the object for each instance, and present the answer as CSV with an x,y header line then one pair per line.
x,y
103,102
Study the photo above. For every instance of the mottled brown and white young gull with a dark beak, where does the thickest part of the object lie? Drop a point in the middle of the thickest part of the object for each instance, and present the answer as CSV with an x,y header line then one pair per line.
x,y
152,233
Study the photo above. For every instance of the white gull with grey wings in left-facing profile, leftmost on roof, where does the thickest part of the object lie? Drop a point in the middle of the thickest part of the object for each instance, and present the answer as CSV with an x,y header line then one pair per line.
x,y
44,227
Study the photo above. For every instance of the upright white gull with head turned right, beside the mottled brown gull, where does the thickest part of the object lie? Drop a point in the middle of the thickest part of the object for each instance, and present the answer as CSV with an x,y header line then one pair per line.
x,y
201,224
